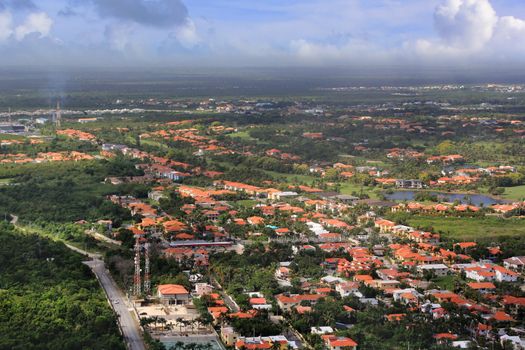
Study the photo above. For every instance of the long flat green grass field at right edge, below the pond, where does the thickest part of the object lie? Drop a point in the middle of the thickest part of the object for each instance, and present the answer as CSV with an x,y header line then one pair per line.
x,y
470,228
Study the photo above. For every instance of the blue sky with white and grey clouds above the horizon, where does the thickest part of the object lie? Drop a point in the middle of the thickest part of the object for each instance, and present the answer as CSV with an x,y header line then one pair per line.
x,y
255,33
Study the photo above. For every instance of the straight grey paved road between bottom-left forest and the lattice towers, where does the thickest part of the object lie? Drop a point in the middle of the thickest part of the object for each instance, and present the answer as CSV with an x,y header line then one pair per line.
x,y
128,324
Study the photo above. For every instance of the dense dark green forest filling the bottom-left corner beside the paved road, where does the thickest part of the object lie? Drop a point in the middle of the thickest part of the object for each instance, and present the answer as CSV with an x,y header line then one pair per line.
x,y
49,299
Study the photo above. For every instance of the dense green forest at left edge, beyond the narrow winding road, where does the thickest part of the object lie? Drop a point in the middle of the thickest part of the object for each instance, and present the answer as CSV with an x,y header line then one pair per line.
x,y
64,192
